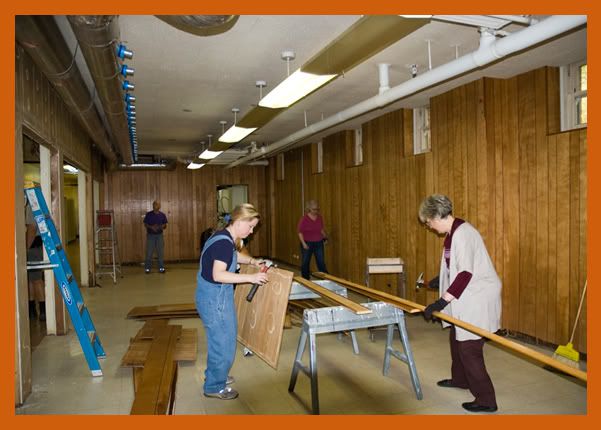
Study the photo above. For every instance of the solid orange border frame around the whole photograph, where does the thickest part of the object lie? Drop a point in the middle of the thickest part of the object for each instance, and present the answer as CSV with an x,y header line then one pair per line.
x,y
10,9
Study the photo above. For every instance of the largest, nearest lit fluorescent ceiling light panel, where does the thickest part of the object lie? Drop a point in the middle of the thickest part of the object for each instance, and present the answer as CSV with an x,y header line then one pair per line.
x,y
293,88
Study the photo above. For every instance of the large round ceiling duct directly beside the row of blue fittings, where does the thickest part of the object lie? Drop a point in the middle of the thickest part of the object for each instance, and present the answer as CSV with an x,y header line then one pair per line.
x,y
97,35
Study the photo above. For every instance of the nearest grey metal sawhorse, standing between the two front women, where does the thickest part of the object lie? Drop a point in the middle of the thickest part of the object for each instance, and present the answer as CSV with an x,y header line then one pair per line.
x,y
333,319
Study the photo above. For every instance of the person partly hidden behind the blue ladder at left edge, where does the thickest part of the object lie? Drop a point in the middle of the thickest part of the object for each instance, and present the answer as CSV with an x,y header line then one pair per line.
x,y
35,278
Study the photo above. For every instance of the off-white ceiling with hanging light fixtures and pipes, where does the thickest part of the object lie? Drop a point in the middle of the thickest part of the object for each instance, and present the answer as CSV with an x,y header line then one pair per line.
x,y
186,84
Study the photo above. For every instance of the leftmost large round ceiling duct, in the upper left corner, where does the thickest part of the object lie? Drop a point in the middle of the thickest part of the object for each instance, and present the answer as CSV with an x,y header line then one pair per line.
x,y
42,40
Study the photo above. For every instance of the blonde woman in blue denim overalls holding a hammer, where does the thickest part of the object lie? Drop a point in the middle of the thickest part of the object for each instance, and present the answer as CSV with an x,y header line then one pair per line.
x,y
215,297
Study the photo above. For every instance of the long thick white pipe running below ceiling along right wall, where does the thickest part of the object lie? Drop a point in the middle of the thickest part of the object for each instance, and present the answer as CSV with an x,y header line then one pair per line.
x,y
490,50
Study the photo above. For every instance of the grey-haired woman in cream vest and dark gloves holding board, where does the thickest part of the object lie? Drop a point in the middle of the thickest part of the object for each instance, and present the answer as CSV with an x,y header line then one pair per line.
x,y
470,291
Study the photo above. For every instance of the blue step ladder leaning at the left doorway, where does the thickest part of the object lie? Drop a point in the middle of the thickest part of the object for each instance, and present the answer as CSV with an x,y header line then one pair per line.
x,y
80,316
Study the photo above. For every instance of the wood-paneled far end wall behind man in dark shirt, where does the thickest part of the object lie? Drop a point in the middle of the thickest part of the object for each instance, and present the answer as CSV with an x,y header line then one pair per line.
x,y
188,198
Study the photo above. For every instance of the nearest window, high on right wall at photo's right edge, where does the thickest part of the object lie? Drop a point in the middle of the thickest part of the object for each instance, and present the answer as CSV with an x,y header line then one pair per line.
x,y
574,96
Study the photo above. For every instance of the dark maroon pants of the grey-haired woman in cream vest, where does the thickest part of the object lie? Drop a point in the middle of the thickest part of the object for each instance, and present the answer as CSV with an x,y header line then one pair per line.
x,y
468,369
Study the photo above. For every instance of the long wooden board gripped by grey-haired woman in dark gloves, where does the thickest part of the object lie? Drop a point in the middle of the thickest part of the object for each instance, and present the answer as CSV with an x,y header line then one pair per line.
x,y
542,358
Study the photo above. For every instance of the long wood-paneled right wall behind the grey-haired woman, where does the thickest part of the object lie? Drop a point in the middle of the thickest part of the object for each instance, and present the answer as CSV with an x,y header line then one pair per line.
x,y
494,155
